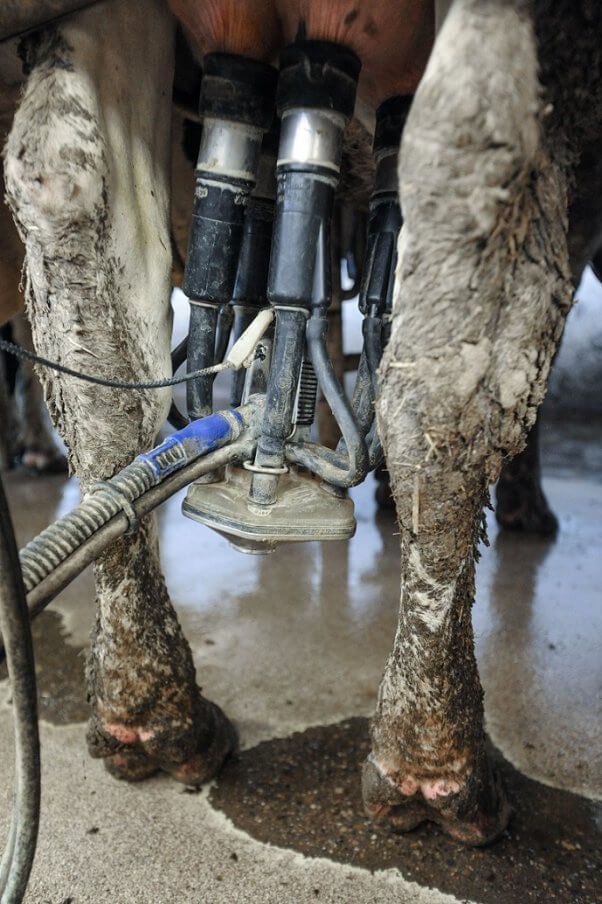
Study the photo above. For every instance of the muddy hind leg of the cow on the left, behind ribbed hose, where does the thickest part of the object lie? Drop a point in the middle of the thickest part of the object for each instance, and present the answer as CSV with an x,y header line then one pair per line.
x,y
86,172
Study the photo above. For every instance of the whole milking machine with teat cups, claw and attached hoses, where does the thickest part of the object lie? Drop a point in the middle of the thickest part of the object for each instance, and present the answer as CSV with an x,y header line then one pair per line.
x,y
259,283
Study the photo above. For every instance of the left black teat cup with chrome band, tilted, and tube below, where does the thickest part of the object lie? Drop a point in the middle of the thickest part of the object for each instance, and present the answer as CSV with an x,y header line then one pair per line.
x,y
237,105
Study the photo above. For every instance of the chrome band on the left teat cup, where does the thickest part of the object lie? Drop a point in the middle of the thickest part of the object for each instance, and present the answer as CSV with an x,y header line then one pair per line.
x,y
229,149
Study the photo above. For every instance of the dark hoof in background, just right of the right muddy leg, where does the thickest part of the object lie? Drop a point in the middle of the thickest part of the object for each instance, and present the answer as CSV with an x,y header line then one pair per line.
x,y
522,506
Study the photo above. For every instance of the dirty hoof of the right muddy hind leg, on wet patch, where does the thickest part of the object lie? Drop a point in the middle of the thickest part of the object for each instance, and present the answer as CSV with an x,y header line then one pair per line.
x,y
403,806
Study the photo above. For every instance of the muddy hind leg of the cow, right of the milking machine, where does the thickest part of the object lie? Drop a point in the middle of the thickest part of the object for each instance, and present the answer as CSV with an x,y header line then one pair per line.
x,y
484,286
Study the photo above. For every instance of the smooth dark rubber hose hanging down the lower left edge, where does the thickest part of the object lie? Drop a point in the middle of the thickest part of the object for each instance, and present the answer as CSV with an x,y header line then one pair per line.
x,y
14,624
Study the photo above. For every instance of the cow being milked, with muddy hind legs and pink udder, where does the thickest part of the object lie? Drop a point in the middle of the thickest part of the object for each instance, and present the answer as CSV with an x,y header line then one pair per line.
x,y
496,170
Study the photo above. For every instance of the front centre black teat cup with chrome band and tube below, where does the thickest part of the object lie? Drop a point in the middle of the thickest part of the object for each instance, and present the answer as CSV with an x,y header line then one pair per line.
x,y
315,98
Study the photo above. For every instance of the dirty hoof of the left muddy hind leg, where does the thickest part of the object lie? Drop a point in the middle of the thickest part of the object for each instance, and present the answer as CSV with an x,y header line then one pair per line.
x,y
192,754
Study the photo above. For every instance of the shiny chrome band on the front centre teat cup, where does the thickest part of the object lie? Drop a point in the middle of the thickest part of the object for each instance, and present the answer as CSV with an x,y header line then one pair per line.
x,y
313,137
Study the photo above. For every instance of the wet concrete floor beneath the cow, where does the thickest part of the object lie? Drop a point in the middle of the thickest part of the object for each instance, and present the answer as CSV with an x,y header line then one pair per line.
x,y
298,639
